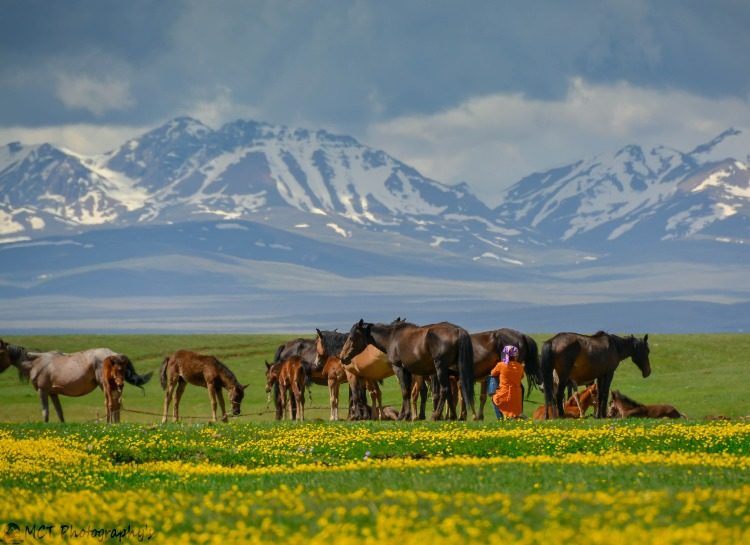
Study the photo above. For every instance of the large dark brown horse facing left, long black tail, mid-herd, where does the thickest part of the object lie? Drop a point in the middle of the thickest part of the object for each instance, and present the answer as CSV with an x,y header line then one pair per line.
x,y
441,349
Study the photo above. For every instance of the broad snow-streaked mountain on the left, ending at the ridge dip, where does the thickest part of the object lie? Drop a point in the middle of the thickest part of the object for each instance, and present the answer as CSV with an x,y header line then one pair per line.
x,y
185,171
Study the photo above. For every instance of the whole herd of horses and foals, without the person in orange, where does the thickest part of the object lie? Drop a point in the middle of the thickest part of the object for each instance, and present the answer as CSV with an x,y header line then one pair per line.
x,y
443,355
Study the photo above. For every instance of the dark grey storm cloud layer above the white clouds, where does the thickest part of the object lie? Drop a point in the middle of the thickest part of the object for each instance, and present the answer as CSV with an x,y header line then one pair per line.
x,y
348,63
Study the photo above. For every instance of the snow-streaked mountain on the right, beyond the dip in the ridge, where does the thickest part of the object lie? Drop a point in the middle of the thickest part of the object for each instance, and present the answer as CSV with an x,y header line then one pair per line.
x,y
655,195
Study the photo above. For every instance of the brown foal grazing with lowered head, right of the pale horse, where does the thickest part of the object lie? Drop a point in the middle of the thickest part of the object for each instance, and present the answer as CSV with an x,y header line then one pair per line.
x,y
185,367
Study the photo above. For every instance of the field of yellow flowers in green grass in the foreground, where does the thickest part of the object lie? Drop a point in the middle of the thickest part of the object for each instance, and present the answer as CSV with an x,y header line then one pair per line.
x,y
374,483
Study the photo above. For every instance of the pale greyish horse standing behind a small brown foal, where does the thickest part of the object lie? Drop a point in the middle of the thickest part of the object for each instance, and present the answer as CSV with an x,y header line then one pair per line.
x,y
54,373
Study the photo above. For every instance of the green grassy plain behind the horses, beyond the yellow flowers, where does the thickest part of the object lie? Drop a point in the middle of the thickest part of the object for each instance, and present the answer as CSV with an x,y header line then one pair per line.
x,y
700,374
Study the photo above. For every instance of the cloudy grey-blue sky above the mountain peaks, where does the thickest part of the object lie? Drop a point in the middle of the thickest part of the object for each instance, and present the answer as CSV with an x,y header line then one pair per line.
x,y
481,91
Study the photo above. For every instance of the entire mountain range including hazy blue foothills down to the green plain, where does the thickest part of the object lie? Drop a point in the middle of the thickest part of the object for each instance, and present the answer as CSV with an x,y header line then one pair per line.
x,y
312,228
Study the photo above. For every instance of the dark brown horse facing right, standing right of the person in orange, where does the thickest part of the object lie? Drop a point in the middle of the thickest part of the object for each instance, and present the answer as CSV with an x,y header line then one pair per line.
x,y
581,359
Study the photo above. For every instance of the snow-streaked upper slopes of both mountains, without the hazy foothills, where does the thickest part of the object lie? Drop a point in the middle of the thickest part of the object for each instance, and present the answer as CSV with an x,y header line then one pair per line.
x,y
247,170
